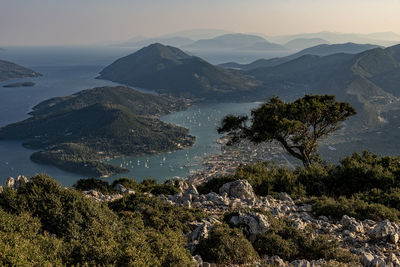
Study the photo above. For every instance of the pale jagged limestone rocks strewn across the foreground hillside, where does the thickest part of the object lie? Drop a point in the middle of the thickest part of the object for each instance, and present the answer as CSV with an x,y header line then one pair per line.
x,y
375,243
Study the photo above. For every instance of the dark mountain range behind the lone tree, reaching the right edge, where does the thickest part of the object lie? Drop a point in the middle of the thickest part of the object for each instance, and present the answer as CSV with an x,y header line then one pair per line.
x,y
367,80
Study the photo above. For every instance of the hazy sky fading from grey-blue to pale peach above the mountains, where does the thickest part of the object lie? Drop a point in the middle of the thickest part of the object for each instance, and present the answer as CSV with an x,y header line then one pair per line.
x,y
37,22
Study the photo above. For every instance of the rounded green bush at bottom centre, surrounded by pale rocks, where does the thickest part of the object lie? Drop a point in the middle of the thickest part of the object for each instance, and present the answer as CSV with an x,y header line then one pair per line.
x,y
226,246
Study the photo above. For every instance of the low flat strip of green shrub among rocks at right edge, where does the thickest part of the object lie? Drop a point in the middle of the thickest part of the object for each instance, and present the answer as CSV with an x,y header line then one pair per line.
x,y
353,207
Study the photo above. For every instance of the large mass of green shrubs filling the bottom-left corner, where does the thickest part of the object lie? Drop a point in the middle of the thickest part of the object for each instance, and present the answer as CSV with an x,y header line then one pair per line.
x,y
42,223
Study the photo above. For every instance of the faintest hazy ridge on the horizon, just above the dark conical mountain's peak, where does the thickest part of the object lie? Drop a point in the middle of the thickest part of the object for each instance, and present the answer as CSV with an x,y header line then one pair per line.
x,y
172,40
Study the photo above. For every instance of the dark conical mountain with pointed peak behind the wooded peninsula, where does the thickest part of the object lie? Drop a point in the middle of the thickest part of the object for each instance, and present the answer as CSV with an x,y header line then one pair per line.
x,y
169,70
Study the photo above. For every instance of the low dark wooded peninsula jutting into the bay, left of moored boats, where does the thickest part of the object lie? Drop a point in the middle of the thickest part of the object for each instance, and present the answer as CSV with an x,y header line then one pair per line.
x,y
77,133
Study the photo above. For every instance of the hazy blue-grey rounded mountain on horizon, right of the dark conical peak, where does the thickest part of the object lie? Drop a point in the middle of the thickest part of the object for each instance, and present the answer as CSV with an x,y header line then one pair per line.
x,y
235,41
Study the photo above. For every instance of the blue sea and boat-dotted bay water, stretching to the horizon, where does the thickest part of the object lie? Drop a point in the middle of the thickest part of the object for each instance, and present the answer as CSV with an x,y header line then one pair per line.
x,y
69,70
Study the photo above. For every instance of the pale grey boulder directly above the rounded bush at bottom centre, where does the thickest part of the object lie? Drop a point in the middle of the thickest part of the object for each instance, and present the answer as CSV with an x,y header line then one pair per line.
x,y
255,223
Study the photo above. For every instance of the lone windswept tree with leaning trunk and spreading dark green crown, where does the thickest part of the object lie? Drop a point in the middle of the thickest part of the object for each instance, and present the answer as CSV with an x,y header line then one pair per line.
x,y
297,126
